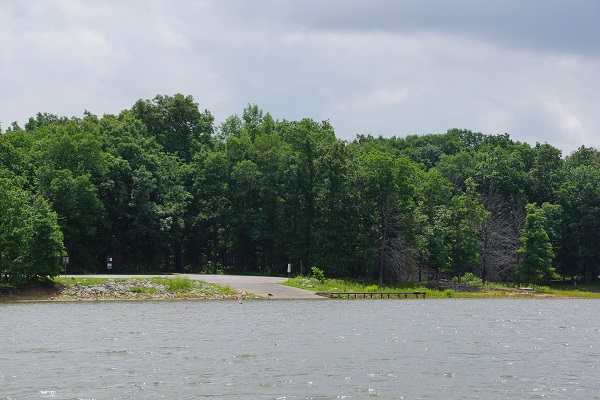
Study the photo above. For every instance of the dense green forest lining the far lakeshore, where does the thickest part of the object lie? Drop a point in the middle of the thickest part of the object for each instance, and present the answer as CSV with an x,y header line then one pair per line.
x,y
161,188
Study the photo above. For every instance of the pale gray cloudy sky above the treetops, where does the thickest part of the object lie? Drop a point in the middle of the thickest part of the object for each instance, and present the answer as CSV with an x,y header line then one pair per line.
x,y
530,68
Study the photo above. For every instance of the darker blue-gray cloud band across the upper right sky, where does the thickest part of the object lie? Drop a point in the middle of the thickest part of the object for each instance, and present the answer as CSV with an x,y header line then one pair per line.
x,y
553,25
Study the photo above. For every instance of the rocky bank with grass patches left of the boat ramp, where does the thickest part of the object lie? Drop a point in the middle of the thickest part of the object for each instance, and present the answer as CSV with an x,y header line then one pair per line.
x,y
117,289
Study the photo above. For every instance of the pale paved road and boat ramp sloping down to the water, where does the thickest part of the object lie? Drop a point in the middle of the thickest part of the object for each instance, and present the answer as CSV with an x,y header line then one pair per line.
x,y
259,285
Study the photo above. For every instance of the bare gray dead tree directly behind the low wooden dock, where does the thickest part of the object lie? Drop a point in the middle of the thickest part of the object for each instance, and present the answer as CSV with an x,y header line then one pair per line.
x,y
395,257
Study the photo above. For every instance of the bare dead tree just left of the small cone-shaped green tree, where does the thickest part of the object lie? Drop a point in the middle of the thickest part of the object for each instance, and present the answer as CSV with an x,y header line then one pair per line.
x,y
499,239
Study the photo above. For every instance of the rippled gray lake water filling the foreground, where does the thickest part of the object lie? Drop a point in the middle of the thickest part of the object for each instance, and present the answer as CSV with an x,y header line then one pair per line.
x,y
312,349
